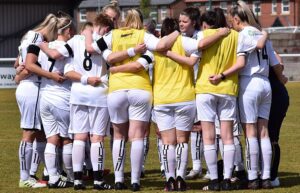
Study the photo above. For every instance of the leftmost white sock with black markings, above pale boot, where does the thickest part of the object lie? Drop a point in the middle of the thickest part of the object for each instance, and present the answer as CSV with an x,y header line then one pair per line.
x,y
25,156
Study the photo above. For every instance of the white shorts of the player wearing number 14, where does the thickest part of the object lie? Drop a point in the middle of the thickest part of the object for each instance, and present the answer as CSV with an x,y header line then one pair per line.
x,y
255,98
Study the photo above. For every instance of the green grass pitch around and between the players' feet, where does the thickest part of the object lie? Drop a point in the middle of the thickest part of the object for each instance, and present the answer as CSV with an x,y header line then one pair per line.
x,y
10,135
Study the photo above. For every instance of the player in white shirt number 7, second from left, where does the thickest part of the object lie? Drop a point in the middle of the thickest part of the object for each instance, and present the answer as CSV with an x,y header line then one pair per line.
x,y
54,105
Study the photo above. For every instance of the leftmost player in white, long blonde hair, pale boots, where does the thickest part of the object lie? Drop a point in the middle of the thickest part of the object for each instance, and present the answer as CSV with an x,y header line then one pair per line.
x,y
27,95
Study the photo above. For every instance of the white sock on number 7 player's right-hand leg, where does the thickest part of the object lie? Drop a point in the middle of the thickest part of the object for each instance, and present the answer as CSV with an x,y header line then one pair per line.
x,y
67,159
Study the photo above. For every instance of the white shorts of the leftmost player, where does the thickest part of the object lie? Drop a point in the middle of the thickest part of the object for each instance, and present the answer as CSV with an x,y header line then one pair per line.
x,y
27,95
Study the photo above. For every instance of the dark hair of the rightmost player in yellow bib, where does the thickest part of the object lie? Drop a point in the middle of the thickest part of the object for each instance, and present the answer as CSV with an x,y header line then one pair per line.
x,y
215,19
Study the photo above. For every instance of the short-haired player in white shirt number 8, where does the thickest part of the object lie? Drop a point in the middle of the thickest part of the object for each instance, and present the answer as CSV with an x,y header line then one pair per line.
x,y
88,101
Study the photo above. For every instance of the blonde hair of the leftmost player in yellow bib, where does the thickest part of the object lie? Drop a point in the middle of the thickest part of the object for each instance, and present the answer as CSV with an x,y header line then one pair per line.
x,y
134,19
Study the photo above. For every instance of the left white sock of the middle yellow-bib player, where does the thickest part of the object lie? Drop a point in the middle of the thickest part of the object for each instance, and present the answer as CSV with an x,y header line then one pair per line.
x,y
169,160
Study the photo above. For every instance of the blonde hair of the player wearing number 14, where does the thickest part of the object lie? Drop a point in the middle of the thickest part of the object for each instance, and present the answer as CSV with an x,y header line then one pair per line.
x,y
243,11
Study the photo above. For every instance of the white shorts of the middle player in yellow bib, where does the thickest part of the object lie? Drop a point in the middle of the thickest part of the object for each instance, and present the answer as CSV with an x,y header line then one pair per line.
x,y
180,117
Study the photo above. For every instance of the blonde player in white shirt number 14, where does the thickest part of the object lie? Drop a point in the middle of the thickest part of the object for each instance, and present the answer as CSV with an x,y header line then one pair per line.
x,y
254,94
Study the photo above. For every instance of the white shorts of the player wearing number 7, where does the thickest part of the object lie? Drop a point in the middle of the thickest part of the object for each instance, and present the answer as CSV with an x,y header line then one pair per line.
x,y
55,120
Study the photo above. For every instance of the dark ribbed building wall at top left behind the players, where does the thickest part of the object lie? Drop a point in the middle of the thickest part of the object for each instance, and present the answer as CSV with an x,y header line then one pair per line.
x,y
19,16
